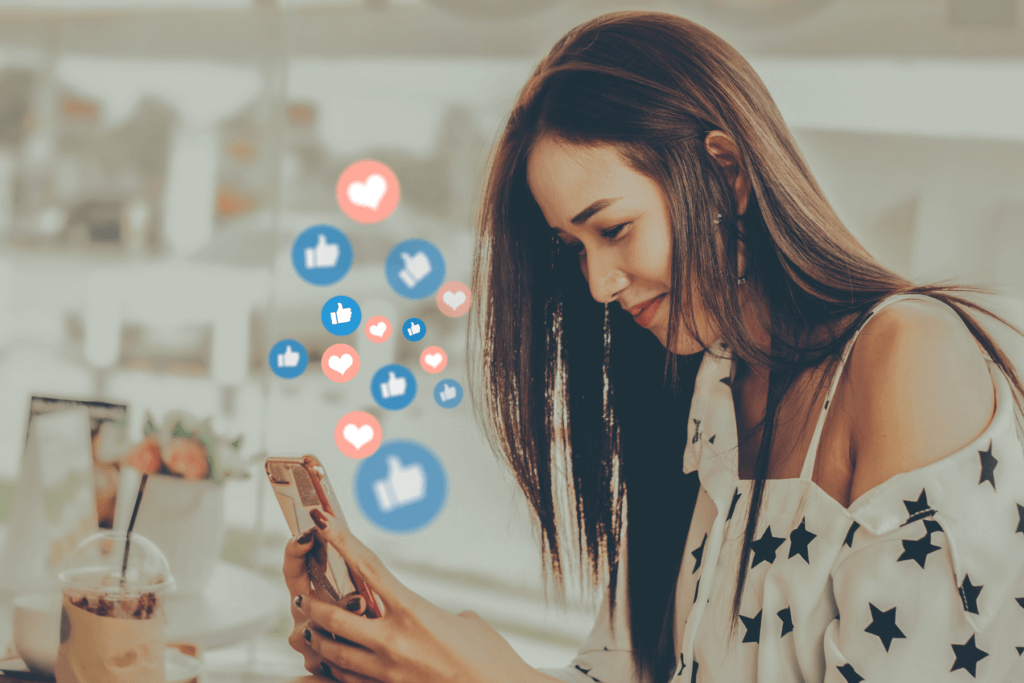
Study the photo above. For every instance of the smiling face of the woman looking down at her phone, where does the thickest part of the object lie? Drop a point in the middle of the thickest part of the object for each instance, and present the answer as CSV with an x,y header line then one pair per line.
x,y
618,220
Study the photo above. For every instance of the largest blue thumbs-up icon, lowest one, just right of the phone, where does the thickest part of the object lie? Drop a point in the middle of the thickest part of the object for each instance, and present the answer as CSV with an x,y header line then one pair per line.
x,y
402,488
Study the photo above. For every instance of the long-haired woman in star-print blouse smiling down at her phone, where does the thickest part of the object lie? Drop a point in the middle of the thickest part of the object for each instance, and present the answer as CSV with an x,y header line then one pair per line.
x,y
654,246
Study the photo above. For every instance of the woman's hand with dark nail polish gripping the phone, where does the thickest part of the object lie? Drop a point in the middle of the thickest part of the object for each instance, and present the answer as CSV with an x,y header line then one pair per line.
x,y
414,643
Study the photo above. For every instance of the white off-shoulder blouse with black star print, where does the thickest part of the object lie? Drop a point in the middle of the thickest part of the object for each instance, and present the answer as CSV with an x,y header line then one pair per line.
x,y
922,579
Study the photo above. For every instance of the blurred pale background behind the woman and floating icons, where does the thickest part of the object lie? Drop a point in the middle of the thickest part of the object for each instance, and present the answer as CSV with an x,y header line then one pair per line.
x,y
158,158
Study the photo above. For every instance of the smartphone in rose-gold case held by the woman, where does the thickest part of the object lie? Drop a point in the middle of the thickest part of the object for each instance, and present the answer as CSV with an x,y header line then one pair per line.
x,y
302,486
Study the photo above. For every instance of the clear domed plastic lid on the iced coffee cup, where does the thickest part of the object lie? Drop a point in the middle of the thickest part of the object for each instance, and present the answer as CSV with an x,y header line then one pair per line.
x,y
97,566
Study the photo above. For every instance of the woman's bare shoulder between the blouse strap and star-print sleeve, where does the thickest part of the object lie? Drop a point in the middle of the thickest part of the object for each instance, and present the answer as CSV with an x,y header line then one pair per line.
x,y
918,390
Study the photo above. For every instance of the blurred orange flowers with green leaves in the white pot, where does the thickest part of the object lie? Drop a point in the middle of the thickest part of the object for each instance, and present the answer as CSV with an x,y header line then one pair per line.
x,y
183,446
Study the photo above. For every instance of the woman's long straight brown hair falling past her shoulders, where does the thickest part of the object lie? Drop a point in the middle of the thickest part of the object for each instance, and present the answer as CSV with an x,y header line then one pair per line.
x,y
574,394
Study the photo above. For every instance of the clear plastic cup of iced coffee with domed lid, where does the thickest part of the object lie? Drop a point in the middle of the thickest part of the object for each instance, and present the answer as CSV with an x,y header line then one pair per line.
x,y
112,625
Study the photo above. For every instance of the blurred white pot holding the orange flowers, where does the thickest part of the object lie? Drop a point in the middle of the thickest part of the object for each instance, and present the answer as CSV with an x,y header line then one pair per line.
x,y
185,519
